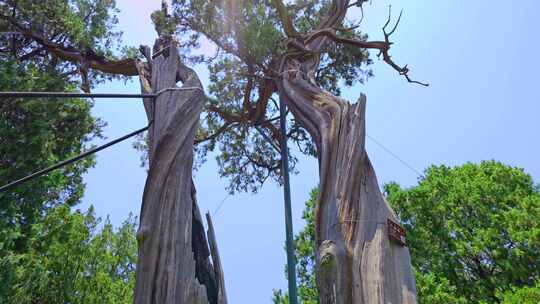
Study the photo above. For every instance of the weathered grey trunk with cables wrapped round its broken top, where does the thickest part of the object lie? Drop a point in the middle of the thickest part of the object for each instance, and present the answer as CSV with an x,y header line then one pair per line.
x,y
174,263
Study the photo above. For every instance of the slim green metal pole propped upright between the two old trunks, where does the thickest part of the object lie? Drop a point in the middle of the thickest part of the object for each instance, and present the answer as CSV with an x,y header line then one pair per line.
x,y
289,241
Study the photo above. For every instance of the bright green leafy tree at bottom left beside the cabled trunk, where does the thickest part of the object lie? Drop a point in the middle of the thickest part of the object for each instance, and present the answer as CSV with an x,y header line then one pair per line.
x,y
68,261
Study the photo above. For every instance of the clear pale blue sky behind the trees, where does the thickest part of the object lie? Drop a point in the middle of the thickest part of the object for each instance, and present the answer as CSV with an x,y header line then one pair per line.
x,y
480,58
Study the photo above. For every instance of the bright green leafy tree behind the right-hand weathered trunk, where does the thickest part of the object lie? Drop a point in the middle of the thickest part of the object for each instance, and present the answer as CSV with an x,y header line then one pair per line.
x,y
473,232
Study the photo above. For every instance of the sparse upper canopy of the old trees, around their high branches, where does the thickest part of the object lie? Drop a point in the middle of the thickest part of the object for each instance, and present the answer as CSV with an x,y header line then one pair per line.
x,y
241,118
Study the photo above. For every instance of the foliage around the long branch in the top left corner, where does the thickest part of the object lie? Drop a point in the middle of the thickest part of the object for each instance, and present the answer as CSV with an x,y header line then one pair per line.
x,y
85,25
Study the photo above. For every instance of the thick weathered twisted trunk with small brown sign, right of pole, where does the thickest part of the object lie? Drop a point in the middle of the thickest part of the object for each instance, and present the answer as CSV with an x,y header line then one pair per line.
x,y
356,260
